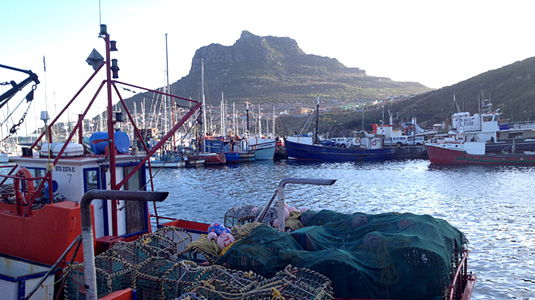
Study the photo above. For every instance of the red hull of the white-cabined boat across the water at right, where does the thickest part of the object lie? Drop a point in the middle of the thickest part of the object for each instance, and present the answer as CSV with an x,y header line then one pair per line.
x,y
440,155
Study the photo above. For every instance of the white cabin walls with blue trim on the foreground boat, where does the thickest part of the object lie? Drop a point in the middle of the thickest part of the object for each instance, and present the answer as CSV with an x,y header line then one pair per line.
x,y
74,176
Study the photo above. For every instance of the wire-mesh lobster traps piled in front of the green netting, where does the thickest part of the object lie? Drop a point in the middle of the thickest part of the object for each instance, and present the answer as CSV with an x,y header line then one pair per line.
x,y
160,266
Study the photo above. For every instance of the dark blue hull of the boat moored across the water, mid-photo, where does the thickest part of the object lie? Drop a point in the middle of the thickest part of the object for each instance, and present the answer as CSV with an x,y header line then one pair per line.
x,y
298,151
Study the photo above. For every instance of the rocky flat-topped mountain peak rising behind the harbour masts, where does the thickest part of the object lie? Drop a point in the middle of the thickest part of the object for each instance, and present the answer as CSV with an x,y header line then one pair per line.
x,y
266,68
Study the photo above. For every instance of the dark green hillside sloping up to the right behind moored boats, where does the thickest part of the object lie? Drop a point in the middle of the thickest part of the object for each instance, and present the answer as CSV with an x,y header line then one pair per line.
x,y
511,89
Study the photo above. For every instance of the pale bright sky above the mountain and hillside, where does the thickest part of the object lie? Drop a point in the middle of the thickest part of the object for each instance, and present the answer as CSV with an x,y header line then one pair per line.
x,y
436,43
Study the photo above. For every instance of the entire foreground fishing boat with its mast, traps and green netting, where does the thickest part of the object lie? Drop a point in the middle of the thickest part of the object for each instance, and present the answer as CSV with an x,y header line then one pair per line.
x,y
64,195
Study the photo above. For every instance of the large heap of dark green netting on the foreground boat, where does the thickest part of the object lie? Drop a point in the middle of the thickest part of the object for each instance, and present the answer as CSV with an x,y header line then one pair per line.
x,y
400,256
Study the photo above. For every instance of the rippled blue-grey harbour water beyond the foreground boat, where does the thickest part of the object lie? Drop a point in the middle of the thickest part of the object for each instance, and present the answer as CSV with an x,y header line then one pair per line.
x,y
494,206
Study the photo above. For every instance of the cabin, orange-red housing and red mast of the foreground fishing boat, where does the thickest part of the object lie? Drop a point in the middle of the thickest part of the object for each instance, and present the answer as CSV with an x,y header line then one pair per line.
x,y
43,213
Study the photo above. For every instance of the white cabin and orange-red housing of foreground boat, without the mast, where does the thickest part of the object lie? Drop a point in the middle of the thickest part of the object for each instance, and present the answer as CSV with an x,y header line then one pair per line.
x,y
30,219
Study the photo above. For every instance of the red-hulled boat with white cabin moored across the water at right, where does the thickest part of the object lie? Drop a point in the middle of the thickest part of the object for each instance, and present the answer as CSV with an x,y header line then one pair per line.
x,y
457,151
